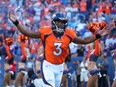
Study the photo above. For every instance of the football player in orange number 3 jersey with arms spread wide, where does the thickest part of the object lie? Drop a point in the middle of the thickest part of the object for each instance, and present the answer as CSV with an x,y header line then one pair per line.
x,y
56,40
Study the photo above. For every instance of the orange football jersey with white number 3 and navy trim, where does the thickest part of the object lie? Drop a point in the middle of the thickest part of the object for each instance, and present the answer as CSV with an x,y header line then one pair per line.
x,y
55,47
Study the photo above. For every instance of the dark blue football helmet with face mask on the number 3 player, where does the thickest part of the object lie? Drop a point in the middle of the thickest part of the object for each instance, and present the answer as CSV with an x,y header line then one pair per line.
x,y
59,22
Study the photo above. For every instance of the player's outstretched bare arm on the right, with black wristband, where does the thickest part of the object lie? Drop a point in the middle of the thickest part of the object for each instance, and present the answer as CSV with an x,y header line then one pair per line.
x,y
91,39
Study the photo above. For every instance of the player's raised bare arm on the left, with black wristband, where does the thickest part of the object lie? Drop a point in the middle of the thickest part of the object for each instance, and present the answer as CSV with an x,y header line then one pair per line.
x,y
23,29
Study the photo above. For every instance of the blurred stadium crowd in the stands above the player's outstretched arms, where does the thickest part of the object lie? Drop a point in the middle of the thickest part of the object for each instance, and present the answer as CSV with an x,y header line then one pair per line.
x,y
36,13
